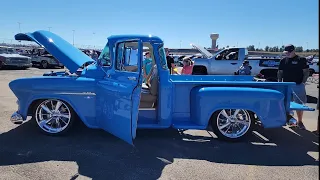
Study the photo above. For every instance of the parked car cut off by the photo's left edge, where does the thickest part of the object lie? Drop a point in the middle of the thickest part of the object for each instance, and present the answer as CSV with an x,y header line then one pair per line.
x,y
9,57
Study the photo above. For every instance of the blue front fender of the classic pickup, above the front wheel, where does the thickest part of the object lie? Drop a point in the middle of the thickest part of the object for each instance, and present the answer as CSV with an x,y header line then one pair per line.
x,y
79,93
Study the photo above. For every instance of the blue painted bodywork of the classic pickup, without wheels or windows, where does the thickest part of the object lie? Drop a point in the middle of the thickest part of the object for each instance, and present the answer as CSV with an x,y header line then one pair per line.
x,y
106,98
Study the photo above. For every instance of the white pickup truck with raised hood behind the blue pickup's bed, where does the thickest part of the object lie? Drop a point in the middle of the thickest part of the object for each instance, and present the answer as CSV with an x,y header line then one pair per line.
x,y
228,61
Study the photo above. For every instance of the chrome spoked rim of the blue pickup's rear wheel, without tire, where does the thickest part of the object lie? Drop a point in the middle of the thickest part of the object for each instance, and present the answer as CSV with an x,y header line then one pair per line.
x,y
233,123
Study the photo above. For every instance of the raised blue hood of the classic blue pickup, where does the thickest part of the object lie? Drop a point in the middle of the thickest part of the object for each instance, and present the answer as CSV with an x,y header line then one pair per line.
x,y
70,56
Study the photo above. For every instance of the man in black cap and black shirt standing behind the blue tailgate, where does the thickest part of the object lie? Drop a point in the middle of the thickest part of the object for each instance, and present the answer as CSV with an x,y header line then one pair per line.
x,y
294,68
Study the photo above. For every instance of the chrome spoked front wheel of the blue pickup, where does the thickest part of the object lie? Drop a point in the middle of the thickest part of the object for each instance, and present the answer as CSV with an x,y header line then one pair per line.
x,y
53,116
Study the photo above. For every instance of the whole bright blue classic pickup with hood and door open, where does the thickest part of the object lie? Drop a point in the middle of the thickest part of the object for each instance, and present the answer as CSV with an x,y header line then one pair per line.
x,y
110,93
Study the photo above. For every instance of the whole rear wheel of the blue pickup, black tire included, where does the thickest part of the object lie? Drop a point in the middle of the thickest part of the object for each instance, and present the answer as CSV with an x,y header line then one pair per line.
x,y
232,124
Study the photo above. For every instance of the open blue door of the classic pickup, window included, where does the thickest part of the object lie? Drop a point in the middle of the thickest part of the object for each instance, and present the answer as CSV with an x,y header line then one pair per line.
x,y
119,93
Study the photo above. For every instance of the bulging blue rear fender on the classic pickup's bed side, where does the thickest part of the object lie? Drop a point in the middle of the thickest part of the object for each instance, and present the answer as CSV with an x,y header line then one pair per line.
x,y
267,104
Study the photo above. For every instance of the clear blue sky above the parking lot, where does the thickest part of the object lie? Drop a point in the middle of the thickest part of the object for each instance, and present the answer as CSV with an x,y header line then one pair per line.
x,y
239,22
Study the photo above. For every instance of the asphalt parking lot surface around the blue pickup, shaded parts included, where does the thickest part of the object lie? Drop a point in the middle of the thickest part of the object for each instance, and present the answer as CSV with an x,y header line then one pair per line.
x,y
282,153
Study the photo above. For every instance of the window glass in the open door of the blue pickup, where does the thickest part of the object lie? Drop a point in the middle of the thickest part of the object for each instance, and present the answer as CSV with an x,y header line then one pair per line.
x,y
127,57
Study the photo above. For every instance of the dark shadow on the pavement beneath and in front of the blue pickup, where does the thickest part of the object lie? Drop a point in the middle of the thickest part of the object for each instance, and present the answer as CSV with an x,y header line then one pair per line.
x,y
100,155
